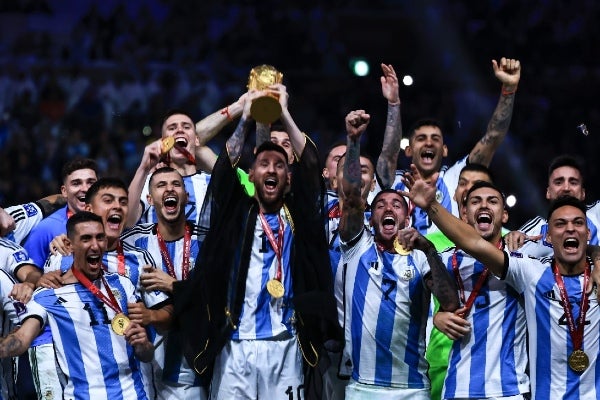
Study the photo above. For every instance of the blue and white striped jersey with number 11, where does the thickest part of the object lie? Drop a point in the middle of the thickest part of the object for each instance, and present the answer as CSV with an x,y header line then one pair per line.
x,y
98,363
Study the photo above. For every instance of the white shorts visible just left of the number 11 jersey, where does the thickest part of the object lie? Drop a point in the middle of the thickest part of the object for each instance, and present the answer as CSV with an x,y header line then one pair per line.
x,y
45,371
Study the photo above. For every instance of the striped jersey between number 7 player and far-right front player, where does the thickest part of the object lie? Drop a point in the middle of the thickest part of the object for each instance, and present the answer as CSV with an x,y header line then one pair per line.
x,y
491,360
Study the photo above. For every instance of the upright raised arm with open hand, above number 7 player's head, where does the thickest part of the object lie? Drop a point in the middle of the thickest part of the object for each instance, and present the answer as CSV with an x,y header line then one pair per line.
x,y
388,158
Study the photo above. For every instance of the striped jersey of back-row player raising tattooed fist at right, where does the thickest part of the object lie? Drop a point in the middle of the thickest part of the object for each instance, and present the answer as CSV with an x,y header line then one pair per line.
x,y
446,186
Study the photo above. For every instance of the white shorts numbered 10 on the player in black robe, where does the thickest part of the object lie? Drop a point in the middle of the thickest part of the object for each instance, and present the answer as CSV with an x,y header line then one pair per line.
x,y
258,369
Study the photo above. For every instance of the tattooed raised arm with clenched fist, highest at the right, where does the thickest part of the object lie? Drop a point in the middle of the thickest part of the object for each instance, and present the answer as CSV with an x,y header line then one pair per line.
x,y
508,72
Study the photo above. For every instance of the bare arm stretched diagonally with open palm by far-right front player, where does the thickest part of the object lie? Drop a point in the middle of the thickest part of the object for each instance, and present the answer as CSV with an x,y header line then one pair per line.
x,y
463,235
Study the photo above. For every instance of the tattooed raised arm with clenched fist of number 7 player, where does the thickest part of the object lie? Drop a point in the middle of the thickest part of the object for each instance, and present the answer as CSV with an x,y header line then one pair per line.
x,y
353,205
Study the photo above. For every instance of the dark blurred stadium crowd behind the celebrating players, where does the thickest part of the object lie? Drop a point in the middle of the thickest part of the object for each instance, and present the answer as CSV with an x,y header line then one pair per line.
x,y
93,78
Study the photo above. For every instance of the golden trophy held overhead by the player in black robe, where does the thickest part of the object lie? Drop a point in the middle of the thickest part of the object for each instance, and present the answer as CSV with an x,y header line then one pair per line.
x,y
265,109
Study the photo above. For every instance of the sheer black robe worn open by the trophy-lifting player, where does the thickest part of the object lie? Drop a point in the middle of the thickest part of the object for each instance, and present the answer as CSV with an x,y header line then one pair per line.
x,y
208,305
